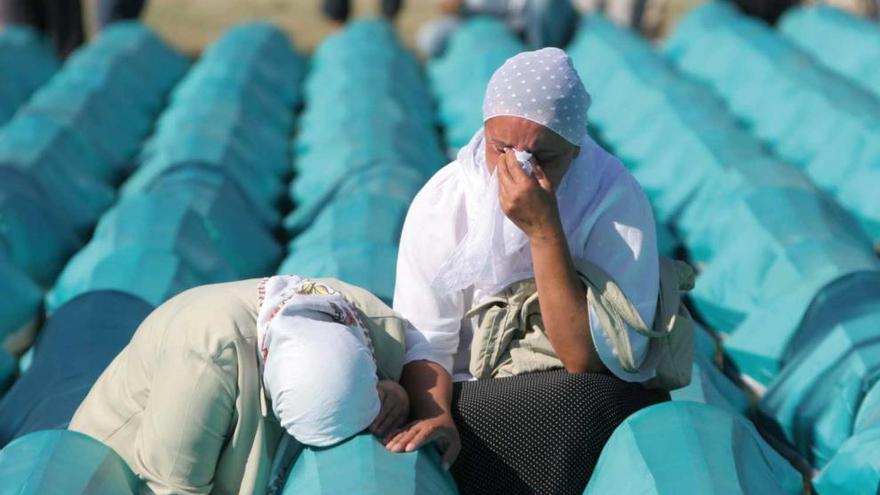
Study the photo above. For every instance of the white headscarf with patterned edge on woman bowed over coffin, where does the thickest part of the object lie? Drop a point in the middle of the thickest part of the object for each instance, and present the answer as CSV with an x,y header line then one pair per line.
x,y
317,361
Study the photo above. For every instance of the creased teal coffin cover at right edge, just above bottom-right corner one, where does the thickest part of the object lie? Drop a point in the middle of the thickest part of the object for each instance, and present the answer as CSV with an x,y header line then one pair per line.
x,y
814,401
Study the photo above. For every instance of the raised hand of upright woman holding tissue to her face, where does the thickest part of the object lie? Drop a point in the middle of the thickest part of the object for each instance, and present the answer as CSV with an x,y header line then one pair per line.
x,y
529,201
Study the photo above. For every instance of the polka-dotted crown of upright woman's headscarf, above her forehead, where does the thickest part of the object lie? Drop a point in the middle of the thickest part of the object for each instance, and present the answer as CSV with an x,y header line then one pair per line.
x,y
544,87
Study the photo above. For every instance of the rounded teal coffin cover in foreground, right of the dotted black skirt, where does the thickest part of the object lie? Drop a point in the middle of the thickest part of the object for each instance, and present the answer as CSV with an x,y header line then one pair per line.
x,y
684,447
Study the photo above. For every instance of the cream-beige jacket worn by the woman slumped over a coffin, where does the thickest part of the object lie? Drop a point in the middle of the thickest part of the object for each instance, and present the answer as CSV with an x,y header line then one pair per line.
x,y
183,403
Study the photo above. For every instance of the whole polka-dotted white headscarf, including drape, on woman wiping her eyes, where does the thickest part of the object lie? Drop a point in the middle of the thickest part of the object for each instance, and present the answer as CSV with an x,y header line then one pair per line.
x,y
541,86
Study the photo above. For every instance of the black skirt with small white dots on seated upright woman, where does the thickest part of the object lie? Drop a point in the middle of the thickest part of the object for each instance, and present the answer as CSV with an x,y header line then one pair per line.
x,y
541,432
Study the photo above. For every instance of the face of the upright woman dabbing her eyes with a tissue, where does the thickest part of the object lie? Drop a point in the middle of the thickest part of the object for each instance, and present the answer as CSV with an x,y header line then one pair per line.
x,y
553,153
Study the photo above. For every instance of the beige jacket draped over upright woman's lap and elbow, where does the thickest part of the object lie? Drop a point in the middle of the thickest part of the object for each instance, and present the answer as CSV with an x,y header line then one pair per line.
x,y
509,338
